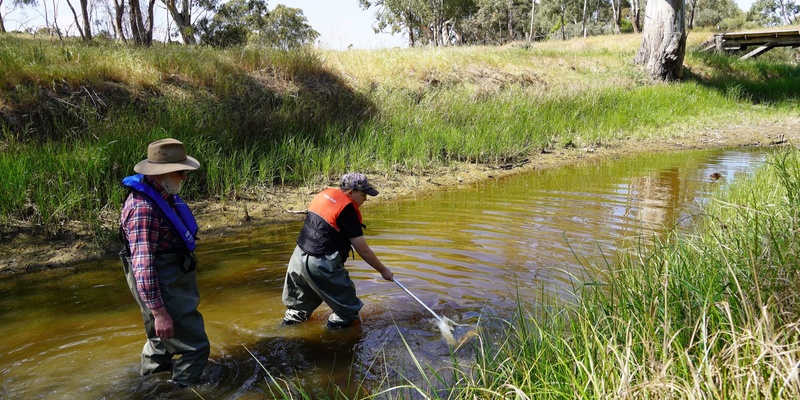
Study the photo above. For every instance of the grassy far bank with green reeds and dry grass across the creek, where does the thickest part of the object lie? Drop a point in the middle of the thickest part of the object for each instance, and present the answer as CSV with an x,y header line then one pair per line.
x,y
77,117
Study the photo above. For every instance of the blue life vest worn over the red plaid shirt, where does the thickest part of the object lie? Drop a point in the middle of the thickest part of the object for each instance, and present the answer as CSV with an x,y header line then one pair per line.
x,y
180,217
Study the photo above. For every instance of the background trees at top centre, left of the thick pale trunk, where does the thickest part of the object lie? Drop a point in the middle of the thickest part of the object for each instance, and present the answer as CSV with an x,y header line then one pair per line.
x,y
446,22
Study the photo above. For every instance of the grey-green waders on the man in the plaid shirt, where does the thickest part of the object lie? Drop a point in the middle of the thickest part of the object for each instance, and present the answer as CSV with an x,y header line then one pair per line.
x,y
181,298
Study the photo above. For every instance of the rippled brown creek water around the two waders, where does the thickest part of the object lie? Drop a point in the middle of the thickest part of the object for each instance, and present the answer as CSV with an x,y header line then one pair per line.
x,y
469,253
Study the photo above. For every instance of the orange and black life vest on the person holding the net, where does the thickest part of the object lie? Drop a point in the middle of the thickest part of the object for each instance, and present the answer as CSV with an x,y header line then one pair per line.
x,y
321,235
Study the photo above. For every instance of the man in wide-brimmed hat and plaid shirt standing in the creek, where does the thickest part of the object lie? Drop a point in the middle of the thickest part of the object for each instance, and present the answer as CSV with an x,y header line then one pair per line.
x,y
159,234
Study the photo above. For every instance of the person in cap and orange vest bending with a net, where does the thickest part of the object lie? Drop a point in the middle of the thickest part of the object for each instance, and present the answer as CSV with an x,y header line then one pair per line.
x,y
316,270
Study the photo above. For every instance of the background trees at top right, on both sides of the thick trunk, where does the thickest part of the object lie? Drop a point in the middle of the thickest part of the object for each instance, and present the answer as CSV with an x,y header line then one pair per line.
x,y
457,22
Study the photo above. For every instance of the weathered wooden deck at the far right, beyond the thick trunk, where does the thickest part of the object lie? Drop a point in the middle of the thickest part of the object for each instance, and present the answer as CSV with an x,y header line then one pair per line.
x,y
762,40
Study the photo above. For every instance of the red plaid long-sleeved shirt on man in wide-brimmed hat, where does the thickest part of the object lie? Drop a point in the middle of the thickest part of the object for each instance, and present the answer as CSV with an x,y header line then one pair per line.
x,y
147,233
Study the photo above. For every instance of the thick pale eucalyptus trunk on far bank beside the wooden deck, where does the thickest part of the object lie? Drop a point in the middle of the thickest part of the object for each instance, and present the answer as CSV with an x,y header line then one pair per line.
x,y
663,39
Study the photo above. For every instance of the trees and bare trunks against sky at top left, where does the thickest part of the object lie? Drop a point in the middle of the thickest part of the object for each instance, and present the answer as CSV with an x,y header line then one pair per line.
x,y
208,22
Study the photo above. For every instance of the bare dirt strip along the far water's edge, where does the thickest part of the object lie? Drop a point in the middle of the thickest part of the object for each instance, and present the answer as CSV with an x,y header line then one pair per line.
x,y
23,252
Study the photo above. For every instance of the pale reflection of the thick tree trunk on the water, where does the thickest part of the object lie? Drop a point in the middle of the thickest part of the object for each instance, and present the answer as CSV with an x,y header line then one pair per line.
x,y
659,198
